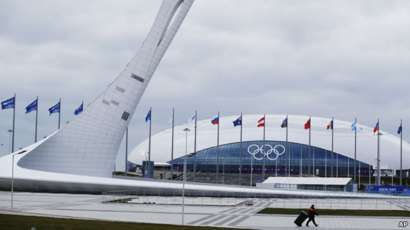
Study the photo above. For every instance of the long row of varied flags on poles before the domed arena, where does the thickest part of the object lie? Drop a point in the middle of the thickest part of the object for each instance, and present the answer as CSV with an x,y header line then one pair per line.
x,y
261,123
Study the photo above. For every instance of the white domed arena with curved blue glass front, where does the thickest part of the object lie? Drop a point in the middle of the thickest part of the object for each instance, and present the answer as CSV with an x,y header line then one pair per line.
x,y
274,156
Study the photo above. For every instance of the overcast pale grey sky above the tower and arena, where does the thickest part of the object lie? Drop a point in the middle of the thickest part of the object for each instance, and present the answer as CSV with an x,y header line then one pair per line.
x,y
322,58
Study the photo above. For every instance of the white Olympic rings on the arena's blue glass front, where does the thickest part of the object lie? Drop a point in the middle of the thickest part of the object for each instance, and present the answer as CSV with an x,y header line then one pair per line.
x,y
266,150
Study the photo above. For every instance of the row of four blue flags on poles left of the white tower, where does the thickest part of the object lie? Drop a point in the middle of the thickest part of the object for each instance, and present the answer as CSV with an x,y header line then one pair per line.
x,y
31,107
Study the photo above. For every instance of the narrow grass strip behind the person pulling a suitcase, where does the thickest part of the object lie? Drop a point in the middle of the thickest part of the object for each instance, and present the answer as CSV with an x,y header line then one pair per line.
x,y
340,212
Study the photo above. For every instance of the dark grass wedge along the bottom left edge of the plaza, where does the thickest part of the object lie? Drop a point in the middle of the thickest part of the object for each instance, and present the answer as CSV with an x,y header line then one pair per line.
x,y
47,223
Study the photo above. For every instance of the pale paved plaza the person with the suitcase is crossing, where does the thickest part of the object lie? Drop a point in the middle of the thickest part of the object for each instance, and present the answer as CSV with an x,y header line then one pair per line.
x,y
223,212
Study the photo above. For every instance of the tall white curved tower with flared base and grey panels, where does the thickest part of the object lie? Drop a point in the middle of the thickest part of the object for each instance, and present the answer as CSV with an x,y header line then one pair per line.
x,y
89,144
